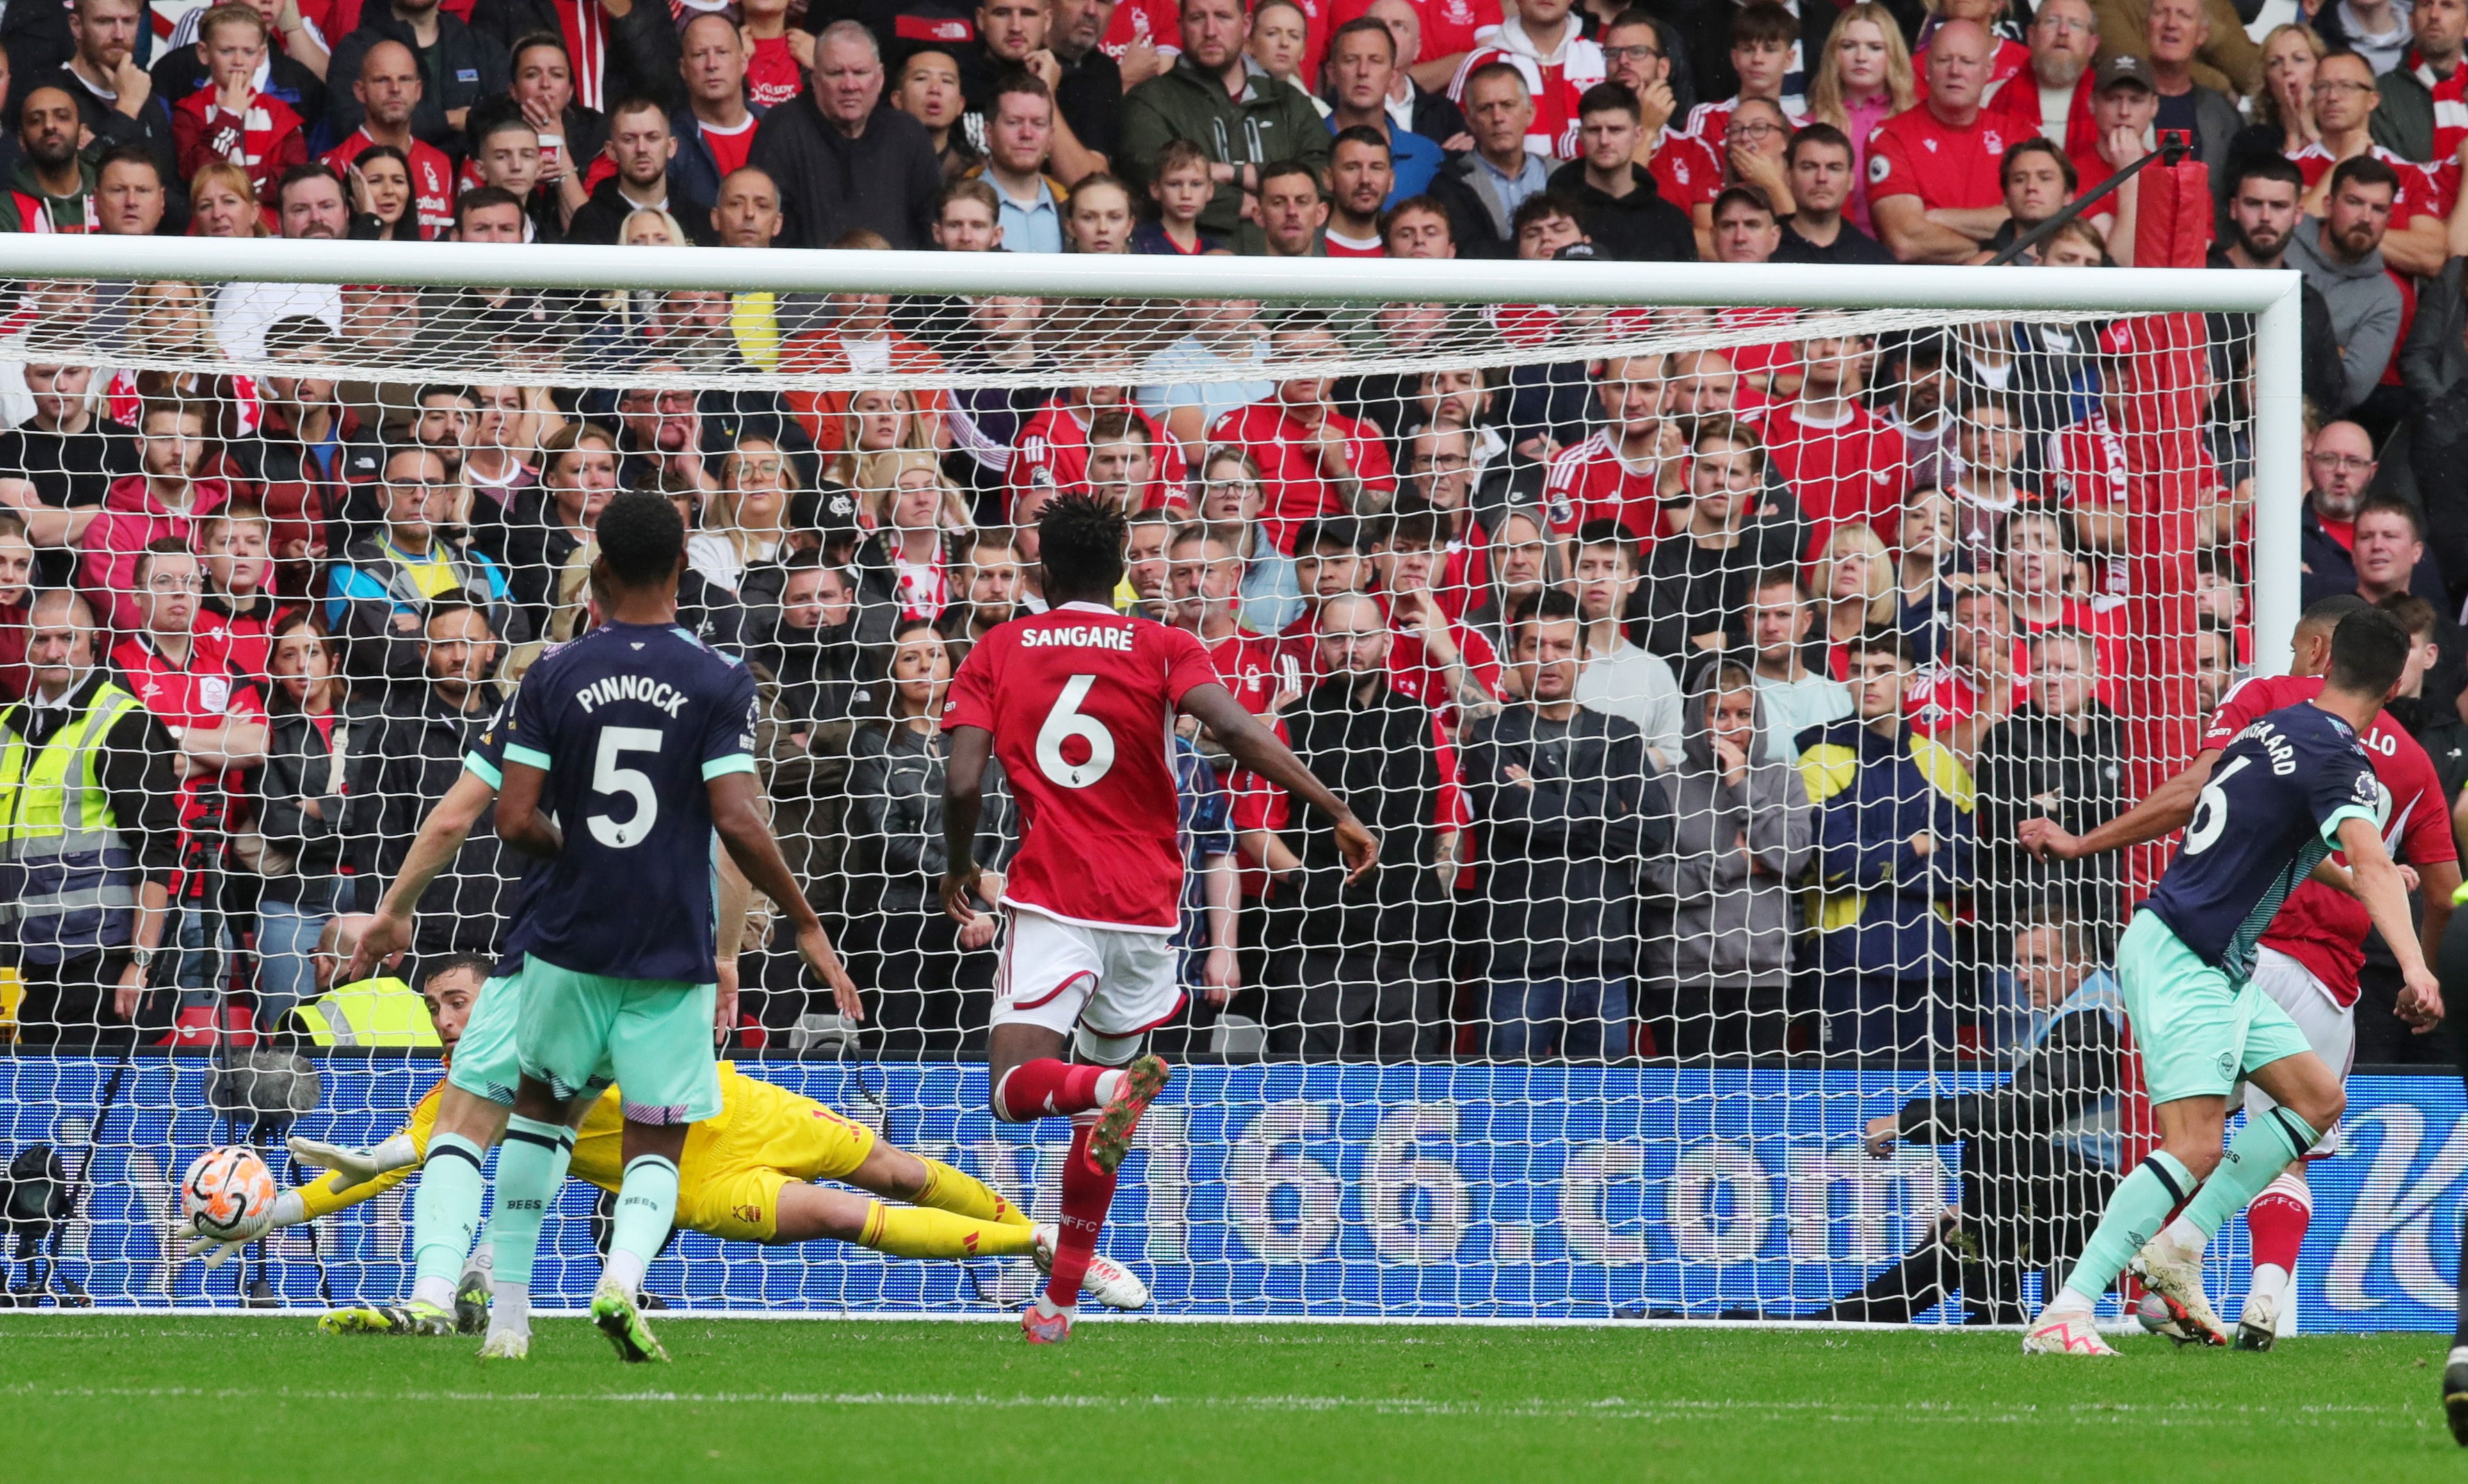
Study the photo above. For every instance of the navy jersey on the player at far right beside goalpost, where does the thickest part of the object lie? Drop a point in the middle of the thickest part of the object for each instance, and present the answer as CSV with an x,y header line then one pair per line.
x,y
2267,819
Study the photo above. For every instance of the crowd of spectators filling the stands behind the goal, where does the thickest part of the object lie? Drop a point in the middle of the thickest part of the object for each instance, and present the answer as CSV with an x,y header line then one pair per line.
x,y
1694,698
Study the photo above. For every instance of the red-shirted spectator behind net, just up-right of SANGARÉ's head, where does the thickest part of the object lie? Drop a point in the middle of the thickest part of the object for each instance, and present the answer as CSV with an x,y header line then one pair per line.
x,y
1314,461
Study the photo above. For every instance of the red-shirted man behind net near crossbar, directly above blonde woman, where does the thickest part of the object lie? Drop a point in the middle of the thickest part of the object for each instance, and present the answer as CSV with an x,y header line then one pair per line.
x,y
1842,461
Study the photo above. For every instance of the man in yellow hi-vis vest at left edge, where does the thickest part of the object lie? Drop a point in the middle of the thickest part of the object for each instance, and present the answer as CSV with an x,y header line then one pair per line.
x,y
90,838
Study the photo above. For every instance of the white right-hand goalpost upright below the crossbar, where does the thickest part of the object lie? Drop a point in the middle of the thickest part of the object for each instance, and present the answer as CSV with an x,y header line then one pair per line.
x,y
2279,478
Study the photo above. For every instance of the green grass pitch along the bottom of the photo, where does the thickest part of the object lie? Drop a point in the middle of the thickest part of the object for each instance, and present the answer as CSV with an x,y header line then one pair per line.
x,y
853,1404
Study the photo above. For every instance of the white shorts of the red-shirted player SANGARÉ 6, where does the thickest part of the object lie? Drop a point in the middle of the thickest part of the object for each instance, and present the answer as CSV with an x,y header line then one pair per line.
x,y
1072,977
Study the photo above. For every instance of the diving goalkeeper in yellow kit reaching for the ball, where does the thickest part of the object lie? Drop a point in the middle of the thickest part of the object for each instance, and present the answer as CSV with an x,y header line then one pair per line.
x,y
744,1177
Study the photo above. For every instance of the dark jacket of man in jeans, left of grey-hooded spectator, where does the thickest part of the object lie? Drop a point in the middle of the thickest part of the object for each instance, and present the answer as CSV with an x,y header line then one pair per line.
x,y
1559,856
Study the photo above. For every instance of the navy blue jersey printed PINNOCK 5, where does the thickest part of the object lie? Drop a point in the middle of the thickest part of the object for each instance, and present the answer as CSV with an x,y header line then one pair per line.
x,y
631,722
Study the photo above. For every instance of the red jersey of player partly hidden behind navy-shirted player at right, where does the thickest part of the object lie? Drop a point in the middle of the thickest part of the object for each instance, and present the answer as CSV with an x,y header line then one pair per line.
x,y
2324,927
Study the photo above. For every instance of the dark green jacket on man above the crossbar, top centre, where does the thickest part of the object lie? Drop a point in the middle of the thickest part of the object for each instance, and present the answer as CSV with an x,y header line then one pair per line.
x,y
1267,125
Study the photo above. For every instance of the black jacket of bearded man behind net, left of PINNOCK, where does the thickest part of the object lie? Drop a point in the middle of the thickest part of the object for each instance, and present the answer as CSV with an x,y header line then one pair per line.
x,y
404,757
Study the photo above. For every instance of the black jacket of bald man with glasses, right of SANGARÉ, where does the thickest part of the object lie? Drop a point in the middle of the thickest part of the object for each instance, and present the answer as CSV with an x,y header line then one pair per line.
x,y
1381,757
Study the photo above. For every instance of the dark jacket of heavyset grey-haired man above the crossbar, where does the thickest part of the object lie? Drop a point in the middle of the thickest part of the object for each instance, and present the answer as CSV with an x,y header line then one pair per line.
x,y
833,184
